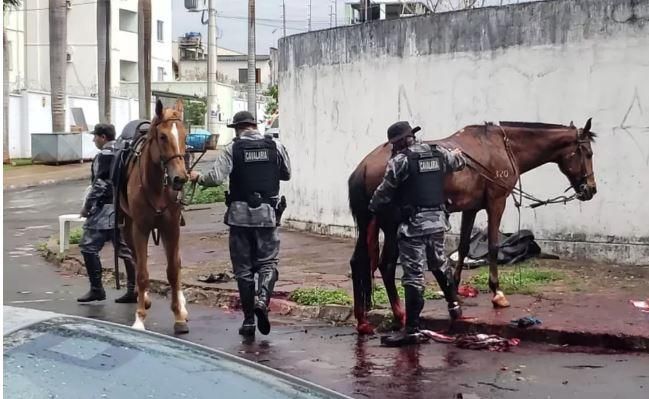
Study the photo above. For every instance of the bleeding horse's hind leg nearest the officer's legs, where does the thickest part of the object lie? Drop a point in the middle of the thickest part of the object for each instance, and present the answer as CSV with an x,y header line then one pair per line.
x,y
388,267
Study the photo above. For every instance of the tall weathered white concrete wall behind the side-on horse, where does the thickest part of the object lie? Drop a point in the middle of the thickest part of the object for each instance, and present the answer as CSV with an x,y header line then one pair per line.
x,y
552,61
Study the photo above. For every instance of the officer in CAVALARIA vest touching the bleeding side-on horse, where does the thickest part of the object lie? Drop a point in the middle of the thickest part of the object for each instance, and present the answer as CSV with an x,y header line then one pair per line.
x,y
414,181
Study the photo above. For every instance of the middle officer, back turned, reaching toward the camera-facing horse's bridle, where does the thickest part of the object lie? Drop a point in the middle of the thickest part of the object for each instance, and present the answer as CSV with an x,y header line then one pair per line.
x,y
255,164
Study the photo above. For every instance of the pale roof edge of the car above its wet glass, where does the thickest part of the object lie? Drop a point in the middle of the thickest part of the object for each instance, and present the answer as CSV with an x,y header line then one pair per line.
x,y
17,318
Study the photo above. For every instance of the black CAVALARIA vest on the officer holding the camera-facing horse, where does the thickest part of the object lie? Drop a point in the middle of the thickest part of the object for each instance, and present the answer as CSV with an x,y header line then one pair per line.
x,y
255,169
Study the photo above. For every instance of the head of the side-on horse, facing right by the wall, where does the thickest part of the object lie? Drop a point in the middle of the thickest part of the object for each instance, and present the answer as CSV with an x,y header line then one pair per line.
x,y
576,162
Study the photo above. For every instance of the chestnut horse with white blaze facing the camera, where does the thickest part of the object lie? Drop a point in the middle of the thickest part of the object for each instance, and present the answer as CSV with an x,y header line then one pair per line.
x,y
154,177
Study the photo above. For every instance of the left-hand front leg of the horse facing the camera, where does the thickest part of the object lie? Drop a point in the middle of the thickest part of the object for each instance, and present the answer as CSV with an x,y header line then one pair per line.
x,y
140,245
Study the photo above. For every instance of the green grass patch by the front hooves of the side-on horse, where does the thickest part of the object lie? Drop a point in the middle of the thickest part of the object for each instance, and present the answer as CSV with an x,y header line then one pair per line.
x,y
518,279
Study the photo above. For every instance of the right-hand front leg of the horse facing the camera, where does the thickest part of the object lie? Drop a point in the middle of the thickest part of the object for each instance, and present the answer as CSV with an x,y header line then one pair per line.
x,y
170,236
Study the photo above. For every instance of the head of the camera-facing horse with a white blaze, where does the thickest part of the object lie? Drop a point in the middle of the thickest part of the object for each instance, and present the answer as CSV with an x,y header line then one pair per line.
x,y
168,137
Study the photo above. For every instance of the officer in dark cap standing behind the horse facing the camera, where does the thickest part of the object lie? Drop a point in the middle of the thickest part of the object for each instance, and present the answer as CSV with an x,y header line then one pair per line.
x,y
99,211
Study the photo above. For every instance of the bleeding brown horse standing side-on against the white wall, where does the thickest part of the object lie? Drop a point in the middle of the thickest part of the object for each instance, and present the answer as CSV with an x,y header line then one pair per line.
x,y
497,155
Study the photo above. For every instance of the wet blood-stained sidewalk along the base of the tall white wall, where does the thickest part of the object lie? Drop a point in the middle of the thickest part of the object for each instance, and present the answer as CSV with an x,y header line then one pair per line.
x,y
590,308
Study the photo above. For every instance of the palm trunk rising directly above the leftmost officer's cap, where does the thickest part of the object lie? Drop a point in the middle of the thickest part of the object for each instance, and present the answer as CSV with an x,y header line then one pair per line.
x,y
103,60
